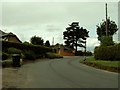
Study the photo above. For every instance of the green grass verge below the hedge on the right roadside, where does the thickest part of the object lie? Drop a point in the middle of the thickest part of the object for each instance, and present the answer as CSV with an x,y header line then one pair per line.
x,y
113,66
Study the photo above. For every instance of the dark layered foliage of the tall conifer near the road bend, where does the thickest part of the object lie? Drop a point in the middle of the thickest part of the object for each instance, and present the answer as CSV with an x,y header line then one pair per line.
x,y
75,36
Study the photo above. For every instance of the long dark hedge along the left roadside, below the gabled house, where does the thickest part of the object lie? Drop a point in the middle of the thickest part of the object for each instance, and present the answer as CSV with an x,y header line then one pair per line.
x,y
37,49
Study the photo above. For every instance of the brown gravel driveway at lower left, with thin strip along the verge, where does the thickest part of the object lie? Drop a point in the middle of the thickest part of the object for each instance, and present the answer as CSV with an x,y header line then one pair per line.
x,y
13,77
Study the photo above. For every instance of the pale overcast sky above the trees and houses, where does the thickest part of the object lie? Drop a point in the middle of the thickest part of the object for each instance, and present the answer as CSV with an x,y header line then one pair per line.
x,y
49,19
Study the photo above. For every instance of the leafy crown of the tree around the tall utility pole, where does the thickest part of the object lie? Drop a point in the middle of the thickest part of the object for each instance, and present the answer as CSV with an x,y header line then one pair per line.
x,y
111,28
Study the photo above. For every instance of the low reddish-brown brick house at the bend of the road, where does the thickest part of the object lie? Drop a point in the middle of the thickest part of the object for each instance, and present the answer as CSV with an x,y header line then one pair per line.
x,y
63,50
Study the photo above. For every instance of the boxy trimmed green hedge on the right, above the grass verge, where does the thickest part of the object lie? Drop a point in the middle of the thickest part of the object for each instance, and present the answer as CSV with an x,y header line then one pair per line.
x,y
107,52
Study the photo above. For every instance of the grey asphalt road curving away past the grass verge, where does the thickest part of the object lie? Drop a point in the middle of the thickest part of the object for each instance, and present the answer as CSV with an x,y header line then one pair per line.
x,y
66,73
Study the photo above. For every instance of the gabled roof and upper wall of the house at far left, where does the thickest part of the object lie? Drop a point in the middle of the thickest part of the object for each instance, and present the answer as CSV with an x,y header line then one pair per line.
x,y
10,37
